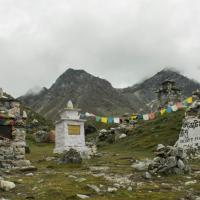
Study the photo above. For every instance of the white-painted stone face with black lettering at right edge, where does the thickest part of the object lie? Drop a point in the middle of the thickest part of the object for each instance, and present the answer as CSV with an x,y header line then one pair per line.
x,y
190,133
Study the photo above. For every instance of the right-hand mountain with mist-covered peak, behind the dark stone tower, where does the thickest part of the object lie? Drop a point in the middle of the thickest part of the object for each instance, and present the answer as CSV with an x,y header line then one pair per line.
x,y
143,94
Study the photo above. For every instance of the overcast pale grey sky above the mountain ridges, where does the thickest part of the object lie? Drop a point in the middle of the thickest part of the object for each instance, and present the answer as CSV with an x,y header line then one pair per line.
x,y
123,41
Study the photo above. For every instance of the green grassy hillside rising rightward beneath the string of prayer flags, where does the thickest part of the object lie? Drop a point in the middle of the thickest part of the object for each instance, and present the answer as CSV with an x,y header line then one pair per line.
x,y
143,139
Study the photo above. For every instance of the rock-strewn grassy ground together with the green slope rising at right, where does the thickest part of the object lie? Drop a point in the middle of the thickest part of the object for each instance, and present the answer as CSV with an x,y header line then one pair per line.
x,y
109,175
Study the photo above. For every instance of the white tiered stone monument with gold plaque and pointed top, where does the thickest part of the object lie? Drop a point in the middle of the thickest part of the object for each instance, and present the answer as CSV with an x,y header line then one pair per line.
x,y
70,131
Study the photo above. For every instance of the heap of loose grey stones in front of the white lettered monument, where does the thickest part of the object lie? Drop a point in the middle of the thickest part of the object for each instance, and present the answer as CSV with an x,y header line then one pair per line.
x,y
169,160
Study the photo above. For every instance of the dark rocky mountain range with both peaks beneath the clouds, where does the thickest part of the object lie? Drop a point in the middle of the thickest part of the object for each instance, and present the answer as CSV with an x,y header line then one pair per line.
x,y
96,95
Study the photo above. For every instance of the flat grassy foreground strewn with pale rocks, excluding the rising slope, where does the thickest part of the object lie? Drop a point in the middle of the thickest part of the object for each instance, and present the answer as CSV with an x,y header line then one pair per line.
x,y
109,176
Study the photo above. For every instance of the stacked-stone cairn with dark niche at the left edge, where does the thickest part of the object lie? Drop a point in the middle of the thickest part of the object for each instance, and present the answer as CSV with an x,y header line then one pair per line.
x,y
12,133
